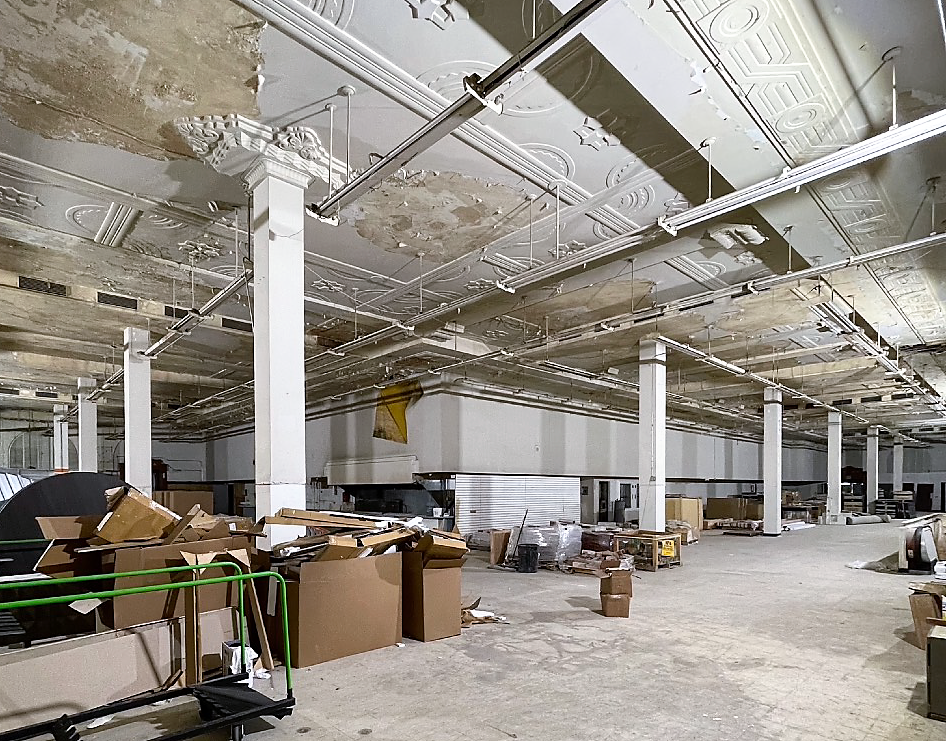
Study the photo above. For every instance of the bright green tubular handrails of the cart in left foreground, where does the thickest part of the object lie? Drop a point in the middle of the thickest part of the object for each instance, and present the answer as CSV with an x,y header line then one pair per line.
x,y
105,594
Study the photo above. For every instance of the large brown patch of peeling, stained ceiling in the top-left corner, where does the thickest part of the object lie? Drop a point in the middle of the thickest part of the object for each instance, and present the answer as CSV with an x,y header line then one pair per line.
x,y
115,72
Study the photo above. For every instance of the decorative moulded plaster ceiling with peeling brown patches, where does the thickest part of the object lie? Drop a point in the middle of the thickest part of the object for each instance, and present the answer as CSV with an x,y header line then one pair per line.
x,y
608,134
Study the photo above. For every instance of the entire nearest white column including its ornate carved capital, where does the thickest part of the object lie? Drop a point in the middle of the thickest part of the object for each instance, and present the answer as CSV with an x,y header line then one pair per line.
x,y
277,165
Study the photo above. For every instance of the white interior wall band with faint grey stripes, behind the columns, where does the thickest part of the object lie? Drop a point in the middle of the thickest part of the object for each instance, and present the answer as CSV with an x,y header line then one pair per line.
x,y
448,432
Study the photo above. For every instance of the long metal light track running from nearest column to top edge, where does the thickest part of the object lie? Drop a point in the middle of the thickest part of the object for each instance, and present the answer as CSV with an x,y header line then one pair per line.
x,y
475,98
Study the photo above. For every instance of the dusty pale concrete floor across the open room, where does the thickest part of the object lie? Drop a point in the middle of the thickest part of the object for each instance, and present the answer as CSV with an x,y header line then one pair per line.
x,y
753,638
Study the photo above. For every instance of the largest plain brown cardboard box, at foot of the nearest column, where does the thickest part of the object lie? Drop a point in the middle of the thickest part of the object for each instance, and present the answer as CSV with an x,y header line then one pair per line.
x,y
345,607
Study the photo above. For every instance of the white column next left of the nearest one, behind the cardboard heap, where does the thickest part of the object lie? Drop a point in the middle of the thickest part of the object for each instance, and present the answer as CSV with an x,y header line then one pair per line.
x,y
137,382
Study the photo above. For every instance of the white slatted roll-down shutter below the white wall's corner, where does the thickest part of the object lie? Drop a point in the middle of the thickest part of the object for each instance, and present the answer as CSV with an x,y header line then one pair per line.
x,y
484,501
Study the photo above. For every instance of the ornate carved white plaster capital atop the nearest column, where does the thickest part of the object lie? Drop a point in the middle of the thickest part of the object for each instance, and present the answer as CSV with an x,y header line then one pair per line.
x,y
235,145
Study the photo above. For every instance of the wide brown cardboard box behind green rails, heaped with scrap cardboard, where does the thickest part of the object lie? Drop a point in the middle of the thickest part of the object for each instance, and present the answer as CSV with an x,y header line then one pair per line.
x,y
134,609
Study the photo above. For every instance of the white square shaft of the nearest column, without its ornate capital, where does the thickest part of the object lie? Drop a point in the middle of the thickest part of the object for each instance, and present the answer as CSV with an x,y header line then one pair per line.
x,y
278,338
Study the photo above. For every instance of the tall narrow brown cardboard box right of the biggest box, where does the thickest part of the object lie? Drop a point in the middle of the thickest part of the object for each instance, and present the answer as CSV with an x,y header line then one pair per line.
x,y
431,597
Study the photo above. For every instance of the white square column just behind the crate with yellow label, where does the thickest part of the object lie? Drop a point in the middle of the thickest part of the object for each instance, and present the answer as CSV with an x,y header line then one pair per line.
x,y
652,435
